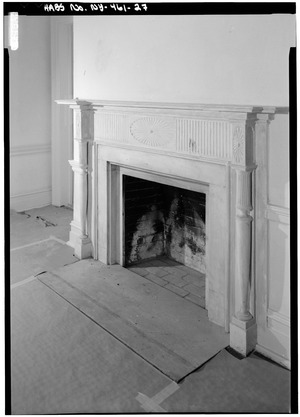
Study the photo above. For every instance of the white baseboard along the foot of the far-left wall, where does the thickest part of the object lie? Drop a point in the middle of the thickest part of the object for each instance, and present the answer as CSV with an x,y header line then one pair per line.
x,y
27,201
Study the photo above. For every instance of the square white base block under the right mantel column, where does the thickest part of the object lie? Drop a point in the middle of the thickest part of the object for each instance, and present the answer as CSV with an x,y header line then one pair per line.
x,y
243,335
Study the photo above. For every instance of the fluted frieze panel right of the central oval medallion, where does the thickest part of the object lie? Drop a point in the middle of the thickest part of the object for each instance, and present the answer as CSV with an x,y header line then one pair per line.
x,y
204,138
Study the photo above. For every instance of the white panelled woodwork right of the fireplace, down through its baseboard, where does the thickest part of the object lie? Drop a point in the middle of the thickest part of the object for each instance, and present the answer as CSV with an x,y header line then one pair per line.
x,y
272,220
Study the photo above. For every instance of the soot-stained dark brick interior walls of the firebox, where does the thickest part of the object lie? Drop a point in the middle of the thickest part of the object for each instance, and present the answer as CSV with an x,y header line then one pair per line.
x,y
162,220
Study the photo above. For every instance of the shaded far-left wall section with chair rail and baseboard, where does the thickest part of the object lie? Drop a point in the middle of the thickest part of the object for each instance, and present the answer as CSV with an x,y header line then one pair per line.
x,y
30,115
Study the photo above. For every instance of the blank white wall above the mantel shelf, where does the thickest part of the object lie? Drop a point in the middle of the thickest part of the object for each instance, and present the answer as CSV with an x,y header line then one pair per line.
x,y
204,59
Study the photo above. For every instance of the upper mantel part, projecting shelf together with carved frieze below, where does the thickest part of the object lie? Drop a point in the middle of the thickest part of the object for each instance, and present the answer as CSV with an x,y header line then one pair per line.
x,y
215,133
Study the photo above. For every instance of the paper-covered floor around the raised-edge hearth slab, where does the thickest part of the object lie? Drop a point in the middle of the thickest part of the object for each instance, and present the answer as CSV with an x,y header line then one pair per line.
x,y
63,362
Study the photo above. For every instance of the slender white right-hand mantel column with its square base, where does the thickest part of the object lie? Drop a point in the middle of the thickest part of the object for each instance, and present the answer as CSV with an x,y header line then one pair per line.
x,y
243,331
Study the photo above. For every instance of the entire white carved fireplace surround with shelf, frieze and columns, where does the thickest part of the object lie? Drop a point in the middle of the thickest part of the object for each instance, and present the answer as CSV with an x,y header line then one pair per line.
x,y
205,148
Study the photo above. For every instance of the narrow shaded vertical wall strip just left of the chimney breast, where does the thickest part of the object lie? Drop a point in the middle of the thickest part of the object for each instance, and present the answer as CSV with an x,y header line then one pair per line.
x,y
62,116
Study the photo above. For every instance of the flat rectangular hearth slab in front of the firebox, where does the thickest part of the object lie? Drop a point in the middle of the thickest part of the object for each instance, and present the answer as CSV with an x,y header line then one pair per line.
x,y
165,329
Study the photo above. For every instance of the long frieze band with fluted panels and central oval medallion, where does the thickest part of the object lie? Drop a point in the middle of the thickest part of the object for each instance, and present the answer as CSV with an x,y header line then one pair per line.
x,y
203,138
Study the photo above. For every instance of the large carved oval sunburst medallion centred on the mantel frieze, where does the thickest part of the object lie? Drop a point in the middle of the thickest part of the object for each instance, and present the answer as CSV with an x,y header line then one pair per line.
x,y
153,131
